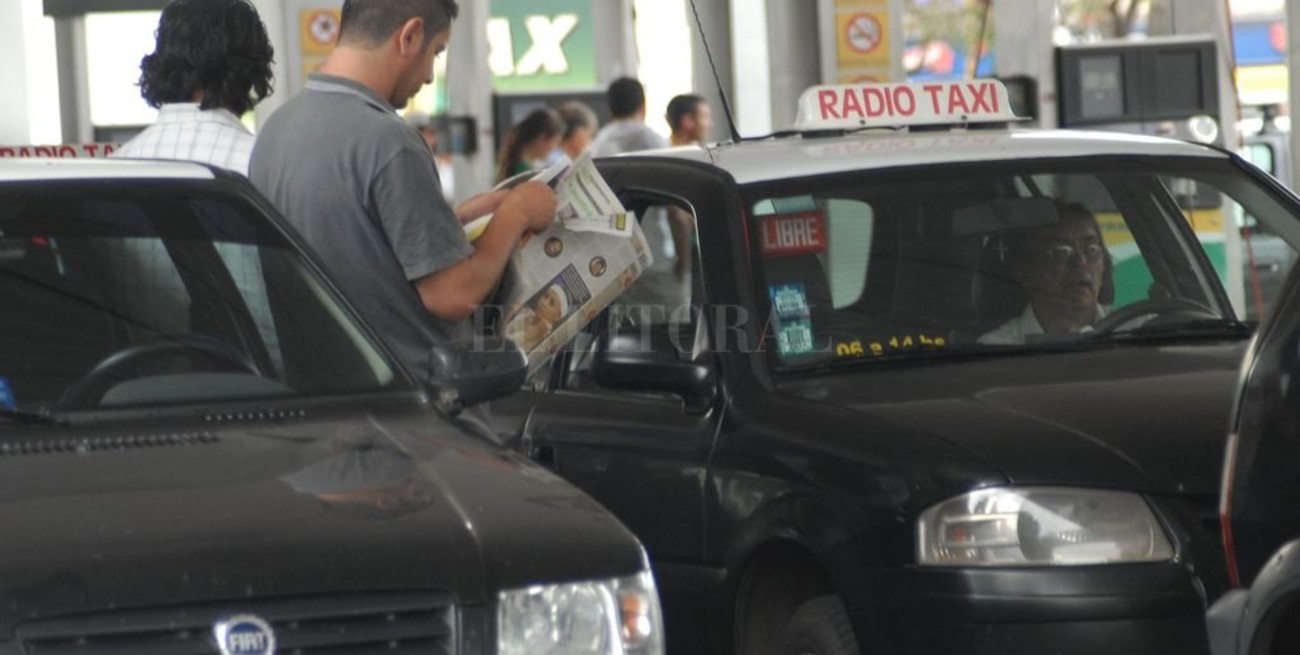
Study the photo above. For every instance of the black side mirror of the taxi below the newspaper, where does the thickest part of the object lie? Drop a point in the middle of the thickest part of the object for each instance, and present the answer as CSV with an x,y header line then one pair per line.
x,y
647,359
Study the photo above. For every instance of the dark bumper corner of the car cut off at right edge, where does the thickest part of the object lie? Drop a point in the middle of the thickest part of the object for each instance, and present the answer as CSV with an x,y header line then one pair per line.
x,y
1245,618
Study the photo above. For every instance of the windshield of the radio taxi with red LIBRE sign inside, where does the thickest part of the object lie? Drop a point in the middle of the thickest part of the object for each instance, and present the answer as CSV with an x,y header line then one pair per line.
x,y
989,258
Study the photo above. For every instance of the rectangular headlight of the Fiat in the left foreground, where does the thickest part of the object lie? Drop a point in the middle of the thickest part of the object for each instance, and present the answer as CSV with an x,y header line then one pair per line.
x,y
603,618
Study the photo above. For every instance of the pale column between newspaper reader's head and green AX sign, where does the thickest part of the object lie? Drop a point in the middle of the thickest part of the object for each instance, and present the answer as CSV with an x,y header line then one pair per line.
x,y
470,94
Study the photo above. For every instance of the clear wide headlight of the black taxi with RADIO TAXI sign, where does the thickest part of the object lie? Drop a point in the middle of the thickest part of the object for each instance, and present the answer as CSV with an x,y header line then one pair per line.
x,y
1038,527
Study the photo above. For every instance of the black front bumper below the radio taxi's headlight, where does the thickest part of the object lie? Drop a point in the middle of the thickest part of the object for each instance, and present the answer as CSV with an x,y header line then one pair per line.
x,y
1142,609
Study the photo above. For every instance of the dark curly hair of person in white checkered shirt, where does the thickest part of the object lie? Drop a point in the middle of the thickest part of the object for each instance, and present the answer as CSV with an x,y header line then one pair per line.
x,y
219,47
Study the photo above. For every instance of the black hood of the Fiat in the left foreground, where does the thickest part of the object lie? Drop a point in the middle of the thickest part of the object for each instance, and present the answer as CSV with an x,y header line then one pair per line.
x,y
137,518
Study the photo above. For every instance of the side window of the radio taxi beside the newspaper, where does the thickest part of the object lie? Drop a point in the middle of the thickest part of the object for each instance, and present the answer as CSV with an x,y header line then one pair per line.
x,y
665,305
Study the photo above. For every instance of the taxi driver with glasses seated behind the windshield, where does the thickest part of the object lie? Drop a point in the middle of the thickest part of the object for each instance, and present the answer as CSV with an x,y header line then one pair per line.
x,y
1063,270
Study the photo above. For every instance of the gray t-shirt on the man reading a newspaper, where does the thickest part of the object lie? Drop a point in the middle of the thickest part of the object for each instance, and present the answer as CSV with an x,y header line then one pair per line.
x,y
361,186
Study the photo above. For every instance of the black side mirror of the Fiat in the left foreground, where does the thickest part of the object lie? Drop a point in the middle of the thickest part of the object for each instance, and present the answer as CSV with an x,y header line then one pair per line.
x,y
475,371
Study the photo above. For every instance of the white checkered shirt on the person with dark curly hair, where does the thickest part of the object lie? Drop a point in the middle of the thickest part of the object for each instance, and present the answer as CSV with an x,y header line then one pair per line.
x,y
184,132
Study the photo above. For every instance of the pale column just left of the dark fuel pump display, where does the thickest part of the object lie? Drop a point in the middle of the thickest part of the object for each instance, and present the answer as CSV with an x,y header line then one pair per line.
x,y
1025,47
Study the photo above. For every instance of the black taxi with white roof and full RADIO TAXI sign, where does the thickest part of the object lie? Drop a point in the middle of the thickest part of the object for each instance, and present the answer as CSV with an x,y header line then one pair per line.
x,y
865,423
